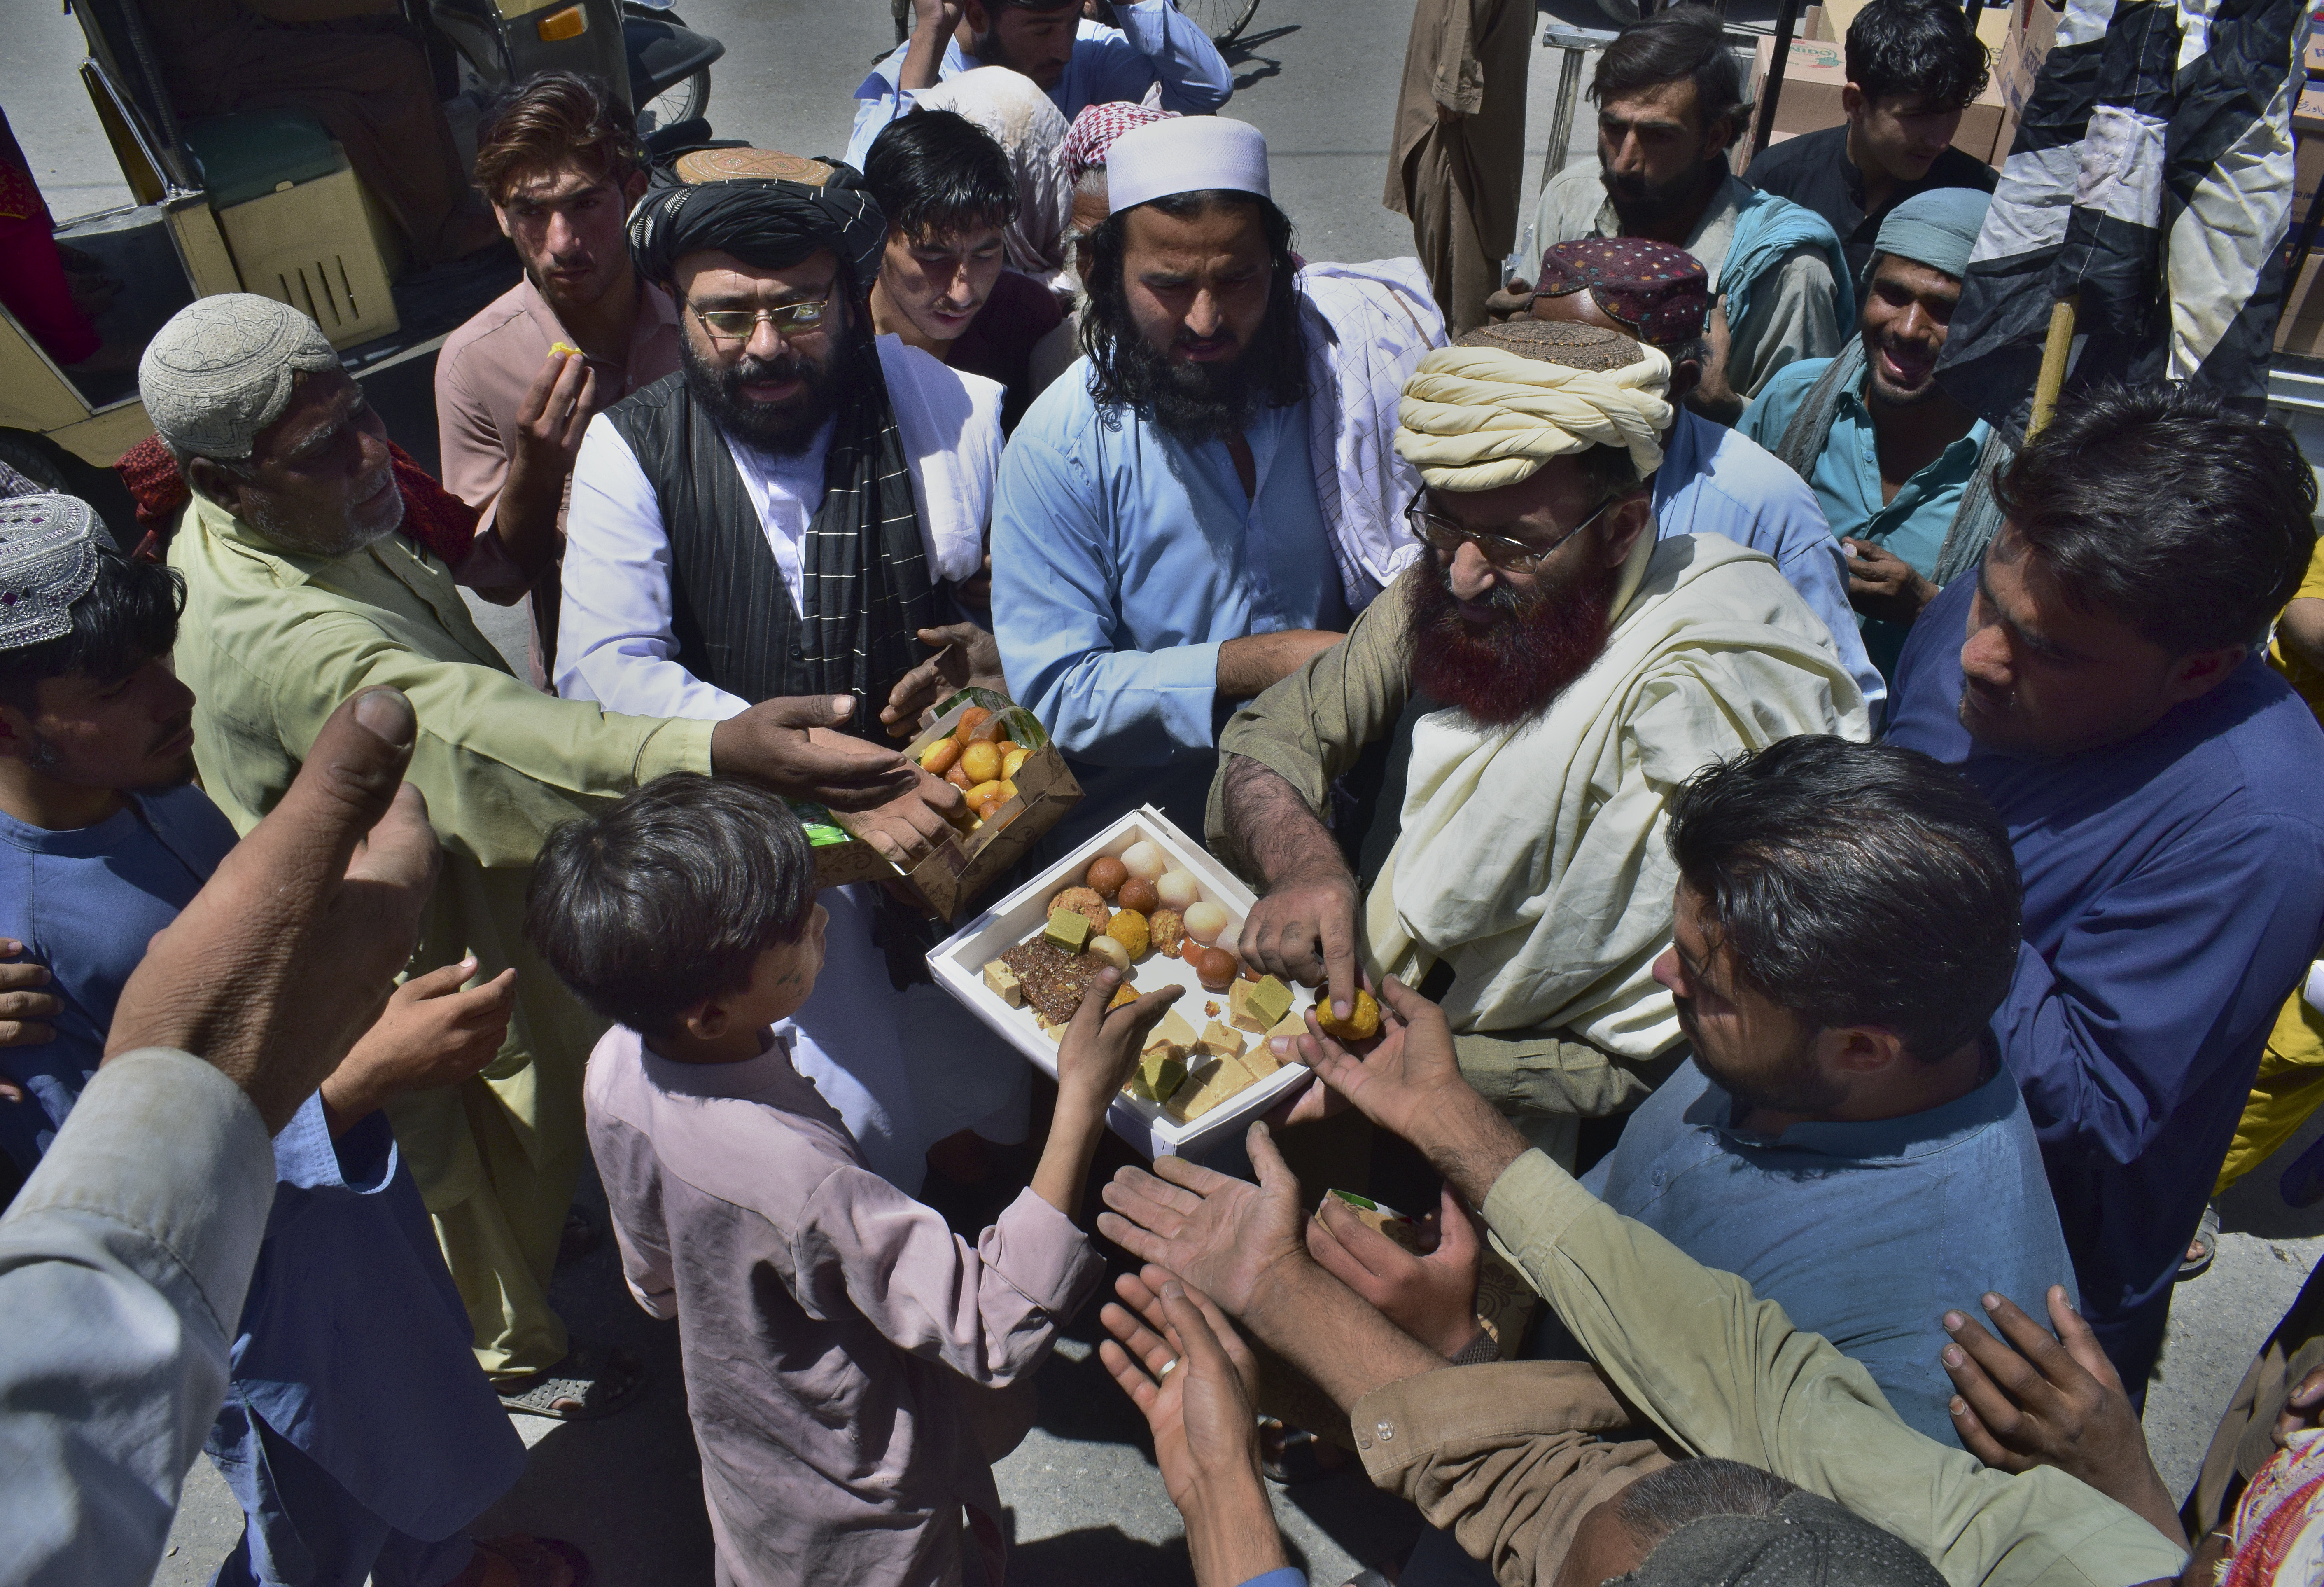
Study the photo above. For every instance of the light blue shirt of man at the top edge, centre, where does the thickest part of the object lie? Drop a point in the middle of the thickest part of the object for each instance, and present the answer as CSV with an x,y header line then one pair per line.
x,y
1154,45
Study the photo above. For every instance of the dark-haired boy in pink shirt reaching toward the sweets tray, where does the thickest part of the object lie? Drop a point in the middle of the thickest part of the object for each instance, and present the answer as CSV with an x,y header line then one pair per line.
x,y
845,1353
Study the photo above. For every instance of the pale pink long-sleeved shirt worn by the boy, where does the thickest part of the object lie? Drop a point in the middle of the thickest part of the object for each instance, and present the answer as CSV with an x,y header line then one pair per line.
x,y
831,1328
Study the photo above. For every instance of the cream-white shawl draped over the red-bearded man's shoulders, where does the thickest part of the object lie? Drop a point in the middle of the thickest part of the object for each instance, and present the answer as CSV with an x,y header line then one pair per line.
x,y
1535,859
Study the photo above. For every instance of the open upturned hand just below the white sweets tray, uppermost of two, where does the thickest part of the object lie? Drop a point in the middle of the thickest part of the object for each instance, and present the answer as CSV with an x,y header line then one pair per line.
x,y
1217,1233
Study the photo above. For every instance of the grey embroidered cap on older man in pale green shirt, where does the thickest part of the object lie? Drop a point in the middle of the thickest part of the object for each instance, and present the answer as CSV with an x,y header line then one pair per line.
x,y
222,371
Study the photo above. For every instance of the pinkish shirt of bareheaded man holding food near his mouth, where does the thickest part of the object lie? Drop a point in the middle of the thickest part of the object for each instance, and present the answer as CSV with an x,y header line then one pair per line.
x,y
492,361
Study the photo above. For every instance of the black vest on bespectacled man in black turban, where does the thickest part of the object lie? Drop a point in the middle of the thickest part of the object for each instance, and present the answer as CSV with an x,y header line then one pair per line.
x,y
729,608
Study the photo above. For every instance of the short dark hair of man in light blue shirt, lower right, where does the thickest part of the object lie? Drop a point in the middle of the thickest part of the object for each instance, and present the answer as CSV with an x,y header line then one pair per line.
x,y
1856,884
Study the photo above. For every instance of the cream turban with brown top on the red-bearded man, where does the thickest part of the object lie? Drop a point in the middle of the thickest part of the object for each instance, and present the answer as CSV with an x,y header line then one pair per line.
x,y
1505,401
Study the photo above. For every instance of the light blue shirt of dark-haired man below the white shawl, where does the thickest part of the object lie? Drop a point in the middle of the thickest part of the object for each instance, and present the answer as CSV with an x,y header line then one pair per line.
x,y
1860,1233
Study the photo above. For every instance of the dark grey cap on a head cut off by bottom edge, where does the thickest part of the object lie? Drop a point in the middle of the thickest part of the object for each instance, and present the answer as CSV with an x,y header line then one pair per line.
x,y
1807,1542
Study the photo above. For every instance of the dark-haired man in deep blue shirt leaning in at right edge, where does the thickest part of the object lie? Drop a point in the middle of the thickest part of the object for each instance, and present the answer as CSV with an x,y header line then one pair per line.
x,y
2100,682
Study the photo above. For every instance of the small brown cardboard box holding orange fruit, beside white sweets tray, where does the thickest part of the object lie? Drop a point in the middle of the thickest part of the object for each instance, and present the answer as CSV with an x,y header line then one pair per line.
x,y
949,879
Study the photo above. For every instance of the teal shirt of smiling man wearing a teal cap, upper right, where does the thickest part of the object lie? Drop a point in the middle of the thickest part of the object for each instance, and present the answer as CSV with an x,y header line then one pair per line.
x,y
1846,482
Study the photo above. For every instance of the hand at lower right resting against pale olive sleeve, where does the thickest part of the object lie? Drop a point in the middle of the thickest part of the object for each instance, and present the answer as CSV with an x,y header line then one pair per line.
x,y
2046,1400
